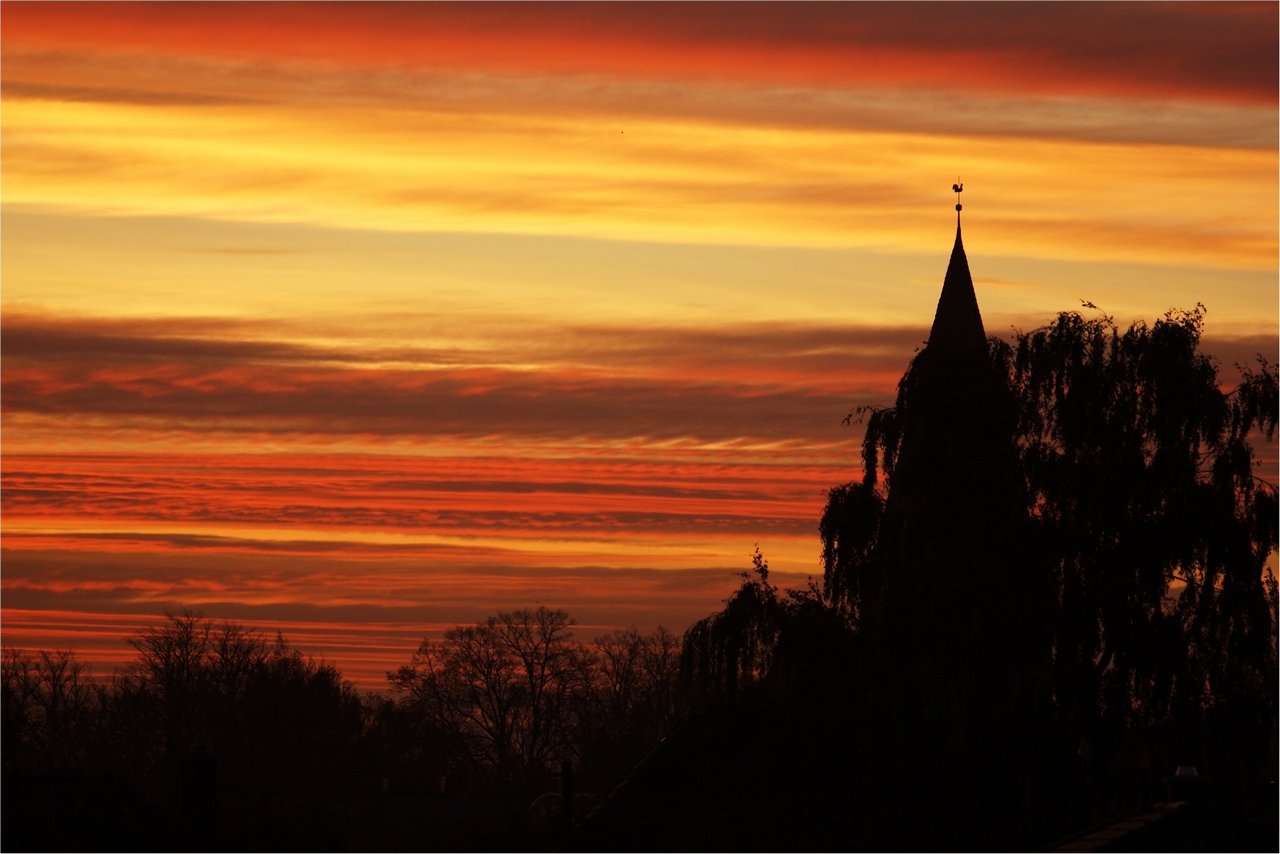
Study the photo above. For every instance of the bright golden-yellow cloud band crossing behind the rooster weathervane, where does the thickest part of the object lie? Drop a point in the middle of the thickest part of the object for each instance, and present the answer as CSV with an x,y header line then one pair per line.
x,y
668,181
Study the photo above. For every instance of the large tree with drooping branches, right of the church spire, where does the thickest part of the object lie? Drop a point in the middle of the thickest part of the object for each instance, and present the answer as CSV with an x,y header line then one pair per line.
x,y
1150,514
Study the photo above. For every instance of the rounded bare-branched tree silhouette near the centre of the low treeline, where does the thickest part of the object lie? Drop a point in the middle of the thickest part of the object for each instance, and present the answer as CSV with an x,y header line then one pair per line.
x,y
516,696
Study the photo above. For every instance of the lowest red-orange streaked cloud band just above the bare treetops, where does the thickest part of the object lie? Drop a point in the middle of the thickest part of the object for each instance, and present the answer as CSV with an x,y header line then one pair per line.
x,y
92,602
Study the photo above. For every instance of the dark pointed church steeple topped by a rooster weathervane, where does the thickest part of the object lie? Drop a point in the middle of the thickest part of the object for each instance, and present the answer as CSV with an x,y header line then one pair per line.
x,y
948,541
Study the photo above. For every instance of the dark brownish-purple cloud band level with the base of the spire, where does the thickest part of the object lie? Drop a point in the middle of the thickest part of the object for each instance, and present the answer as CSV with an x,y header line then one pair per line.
x,y
749,383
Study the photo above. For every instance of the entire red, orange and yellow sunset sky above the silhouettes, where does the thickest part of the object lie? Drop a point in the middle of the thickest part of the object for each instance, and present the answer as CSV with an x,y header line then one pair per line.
x,y
362,322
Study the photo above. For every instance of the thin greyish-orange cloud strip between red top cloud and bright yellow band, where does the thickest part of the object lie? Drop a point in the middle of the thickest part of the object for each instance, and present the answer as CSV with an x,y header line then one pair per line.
x,y
616,102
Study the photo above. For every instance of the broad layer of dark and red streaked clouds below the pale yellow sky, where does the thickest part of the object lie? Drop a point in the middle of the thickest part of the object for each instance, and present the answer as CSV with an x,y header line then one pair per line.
x,y
579,444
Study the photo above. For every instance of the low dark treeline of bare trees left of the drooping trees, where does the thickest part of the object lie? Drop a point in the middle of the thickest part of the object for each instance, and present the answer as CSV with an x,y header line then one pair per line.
x,y
216,737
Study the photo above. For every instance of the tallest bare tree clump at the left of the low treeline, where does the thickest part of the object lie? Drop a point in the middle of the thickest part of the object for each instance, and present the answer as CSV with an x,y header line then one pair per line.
x,y
273,718
